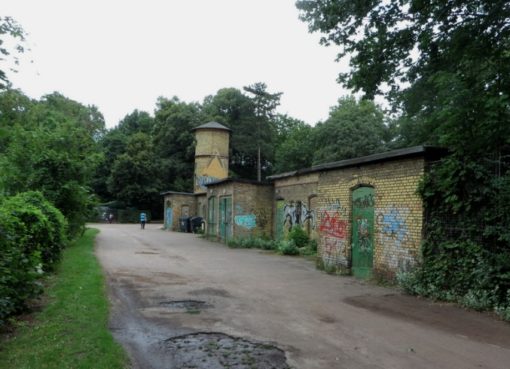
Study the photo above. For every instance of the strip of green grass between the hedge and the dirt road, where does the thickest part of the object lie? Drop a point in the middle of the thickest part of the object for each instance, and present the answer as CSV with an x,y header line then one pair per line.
x,y
71,331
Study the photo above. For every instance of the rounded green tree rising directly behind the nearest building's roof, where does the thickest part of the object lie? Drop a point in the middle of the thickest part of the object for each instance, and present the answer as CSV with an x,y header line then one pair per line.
x,y
354,128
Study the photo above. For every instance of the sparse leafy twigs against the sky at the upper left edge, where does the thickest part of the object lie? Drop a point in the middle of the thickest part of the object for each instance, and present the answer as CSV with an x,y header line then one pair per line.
x,y
10,30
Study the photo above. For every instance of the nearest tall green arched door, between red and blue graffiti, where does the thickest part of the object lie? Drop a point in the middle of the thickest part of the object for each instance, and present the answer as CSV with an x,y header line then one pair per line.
x,y
362,232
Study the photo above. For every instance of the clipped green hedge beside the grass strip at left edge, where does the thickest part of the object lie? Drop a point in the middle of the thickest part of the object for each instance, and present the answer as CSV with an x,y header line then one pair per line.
x,y
32,236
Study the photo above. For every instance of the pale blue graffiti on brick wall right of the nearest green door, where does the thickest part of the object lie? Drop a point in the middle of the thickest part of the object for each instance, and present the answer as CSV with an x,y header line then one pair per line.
x,y
397,249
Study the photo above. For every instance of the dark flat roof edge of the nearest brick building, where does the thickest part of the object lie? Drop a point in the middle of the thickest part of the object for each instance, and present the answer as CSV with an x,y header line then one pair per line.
x,y
429,152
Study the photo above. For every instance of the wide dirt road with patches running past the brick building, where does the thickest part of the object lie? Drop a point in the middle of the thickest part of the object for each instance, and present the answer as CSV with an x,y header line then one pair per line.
x,y
179,301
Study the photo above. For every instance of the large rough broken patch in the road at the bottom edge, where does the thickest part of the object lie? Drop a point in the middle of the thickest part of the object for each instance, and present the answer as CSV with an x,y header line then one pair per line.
x,y
218,351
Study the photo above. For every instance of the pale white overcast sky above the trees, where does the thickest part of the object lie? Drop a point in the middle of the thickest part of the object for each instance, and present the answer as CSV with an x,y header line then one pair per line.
x,y
122,55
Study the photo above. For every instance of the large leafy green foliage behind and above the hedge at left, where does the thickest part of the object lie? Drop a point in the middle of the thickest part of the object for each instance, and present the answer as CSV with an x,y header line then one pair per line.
x,y
51,147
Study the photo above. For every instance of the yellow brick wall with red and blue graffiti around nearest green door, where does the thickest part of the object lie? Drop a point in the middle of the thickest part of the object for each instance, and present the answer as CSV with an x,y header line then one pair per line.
x,y
398,214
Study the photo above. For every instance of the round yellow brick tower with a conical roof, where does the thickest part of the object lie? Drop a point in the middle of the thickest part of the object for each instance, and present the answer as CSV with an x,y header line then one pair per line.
x,y
211,154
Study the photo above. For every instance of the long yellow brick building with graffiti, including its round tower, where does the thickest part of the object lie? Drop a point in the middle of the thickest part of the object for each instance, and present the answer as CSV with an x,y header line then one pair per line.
x,y
365,213
